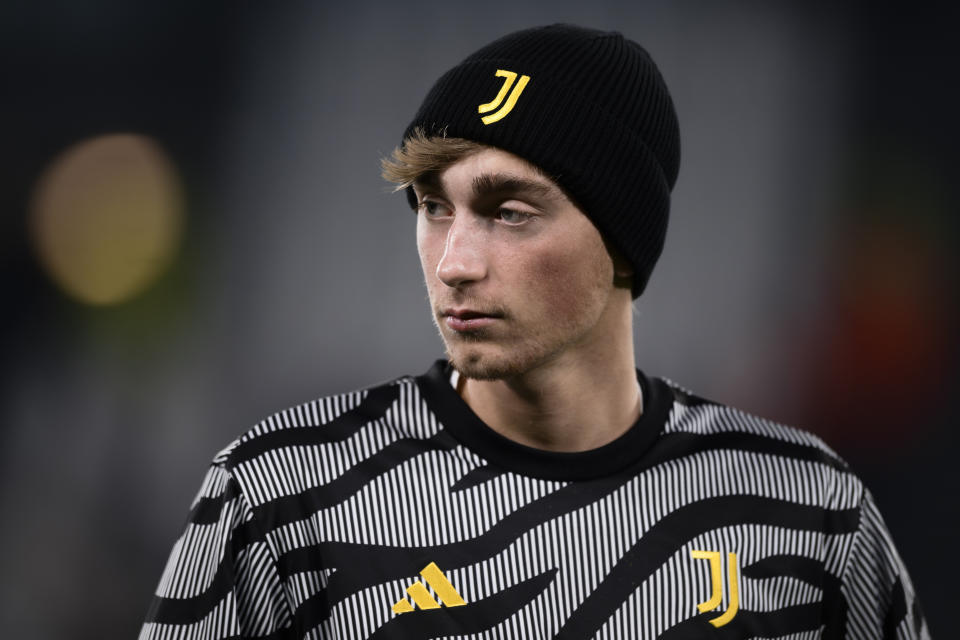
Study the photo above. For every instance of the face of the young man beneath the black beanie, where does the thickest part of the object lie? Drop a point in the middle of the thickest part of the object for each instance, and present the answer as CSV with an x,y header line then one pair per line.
x,y
518,277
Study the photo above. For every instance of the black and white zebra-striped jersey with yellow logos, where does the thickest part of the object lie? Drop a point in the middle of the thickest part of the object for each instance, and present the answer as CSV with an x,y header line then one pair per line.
x,y
394,512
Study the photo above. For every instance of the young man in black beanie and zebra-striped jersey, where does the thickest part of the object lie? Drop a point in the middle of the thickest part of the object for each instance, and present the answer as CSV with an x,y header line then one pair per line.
x,y
534,484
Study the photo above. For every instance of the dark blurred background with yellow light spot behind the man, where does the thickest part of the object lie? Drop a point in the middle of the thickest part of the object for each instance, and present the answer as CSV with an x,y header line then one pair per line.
x,y
194,235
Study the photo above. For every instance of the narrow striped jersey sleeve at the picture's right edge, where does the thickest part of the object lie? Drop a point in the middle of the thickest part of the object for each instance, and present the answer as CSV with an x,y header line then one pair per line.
x,y
880,598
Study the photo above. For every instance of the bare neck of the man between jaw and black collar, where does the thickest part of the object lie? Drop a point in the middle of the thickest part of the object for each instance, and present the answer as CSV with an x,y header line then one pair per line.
x,y
580,399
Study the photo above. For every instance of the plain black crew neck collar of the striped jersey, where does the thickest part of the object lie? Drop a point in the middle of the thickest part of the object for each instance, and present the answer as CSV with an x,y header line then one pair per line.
x,y
463,424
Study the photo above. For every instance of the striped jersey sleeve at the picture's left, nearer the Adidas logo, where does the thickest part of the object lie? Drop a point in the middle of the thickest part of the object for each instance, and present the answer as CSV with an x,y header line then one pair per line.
x,y
221,580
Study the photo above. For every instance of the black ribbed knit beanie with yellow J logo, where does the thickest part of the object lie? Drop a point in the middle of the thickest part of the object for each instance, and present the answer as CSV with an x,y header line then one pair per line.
x,y
587,107
